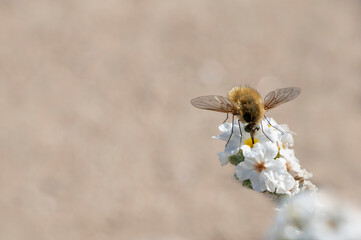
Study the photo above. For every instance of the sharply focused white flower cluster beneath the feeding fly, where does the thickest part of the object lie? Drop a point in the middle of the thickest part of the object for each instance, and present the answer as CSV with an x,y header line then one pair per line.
x,y
269,164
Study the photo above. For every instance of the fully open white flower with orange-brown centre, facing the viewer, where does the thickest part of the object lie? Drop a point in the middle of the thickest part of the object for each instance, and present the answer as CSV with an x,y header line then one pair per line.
x,y
262,170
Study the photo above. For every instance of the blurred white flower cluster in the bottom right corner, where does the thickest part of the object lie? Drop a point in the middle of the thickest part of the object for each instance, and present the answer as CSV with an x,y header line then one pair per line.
x,y
312,216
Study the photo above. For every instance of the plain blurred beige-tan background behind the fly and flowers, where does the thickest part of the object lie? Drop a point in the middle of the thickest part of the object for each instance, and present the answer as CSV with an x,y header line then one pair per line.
x,y
98,139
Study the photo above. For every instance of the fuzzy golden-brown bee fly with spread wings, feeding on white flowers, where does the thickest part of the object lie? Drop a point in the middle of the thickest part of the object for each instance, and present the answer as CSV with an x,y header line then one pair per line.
x,y
246,103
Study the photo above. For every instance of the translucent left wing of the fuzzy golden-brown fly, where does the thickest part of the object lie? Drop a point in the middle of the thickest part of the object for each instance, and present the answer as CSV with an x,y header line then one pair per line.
x,y
213,103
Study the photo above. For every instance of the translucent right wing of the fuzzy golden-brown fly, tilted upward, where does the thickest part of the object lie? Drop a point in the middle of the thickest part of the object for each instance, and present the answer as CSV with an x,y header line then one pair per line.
x,y
279,96
